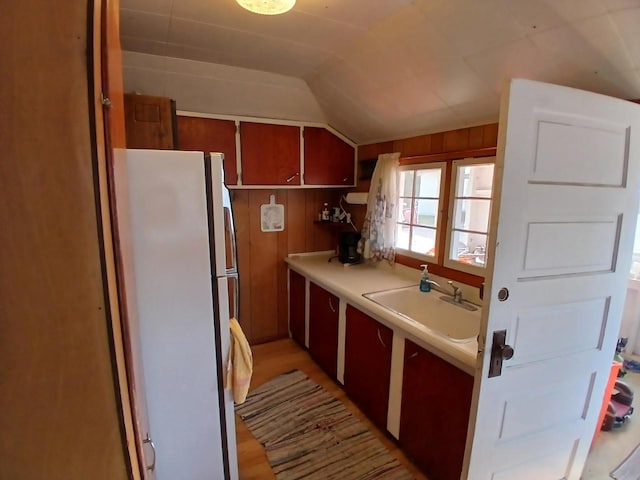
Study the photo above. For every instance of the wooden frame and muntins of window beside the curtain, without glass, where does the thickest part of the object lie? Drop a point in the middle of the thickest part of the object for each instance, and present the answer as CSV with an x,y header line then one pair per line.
x,y
442,166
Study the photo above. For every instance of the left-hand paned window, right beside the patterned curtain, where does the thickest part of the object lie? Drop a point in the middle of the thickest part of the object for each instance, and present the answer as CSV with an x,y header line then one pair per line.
x,y
420,192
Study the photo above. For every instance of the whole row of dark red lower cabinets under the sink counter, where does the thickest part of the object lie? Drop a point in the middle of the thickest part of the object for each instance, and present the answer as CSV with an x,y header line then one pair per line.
x,y
431,398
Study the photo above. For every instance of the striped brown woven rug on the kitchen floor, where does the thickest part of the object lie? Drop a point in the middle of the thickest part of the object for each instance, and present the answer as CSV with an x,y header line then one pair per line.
x,y
309,434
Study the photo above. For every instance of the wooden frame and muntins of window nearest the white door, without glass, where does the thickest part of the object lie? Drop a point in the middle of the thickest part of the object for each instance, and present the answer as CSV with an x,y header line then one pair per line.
x,y
450,227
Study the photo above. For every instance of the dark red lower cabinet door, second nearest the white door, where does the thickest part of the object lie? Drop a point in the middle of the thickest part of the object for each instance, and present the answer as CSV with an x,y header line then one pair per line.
x,y
367,368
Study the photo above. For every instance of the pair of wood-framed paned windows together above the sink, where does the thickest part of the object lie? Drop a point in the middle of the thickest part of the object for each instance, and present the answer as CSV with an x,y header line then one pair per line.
x,y
456,242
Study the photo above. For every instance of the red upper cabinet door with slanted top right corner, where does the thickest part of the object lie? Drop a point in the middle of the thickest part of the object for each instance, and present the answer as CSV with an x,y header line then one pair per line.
x,y
328,160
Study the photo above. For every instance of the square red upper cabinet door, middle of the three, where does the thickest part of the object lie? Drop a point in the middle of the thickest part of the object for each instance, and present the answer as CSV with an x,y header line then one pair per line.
x,y
270,154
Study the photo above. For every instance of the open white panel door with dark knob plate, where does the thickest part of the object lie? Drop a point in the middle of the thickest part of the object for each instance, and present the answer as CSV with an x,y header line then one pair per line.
x,y
564,217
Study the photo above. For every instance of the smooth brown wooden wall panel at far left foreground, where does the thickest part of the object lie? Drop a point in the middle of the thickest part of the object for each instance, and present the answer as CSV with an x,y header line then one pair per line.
x,y
58,410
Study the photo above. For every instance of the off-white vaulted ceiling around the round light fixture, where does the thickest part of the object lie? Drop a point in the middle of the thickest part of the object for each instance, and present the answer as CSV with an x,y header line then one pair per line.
x,y
390,69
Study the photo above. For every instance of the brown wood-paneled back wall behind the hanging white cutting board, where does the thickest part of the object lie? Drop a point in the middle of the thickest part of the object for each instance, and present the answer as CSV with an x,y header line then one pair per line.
x,y
263,271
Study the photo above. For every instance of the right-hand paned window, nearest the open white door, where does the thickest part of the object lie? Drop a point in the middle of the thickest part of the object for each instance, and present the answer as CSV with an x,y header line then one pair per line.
x,y
470,206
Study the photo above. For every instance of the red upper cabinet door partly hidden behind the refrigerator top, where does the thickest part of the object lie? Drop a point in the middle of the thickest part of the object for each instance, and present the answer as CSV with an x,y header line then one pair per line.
x,y
211,135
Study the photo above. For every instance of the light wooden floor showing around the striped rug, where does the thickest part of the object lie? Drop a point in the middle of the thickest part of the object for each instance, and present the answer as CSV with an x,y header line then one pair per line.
x,y
270,360
